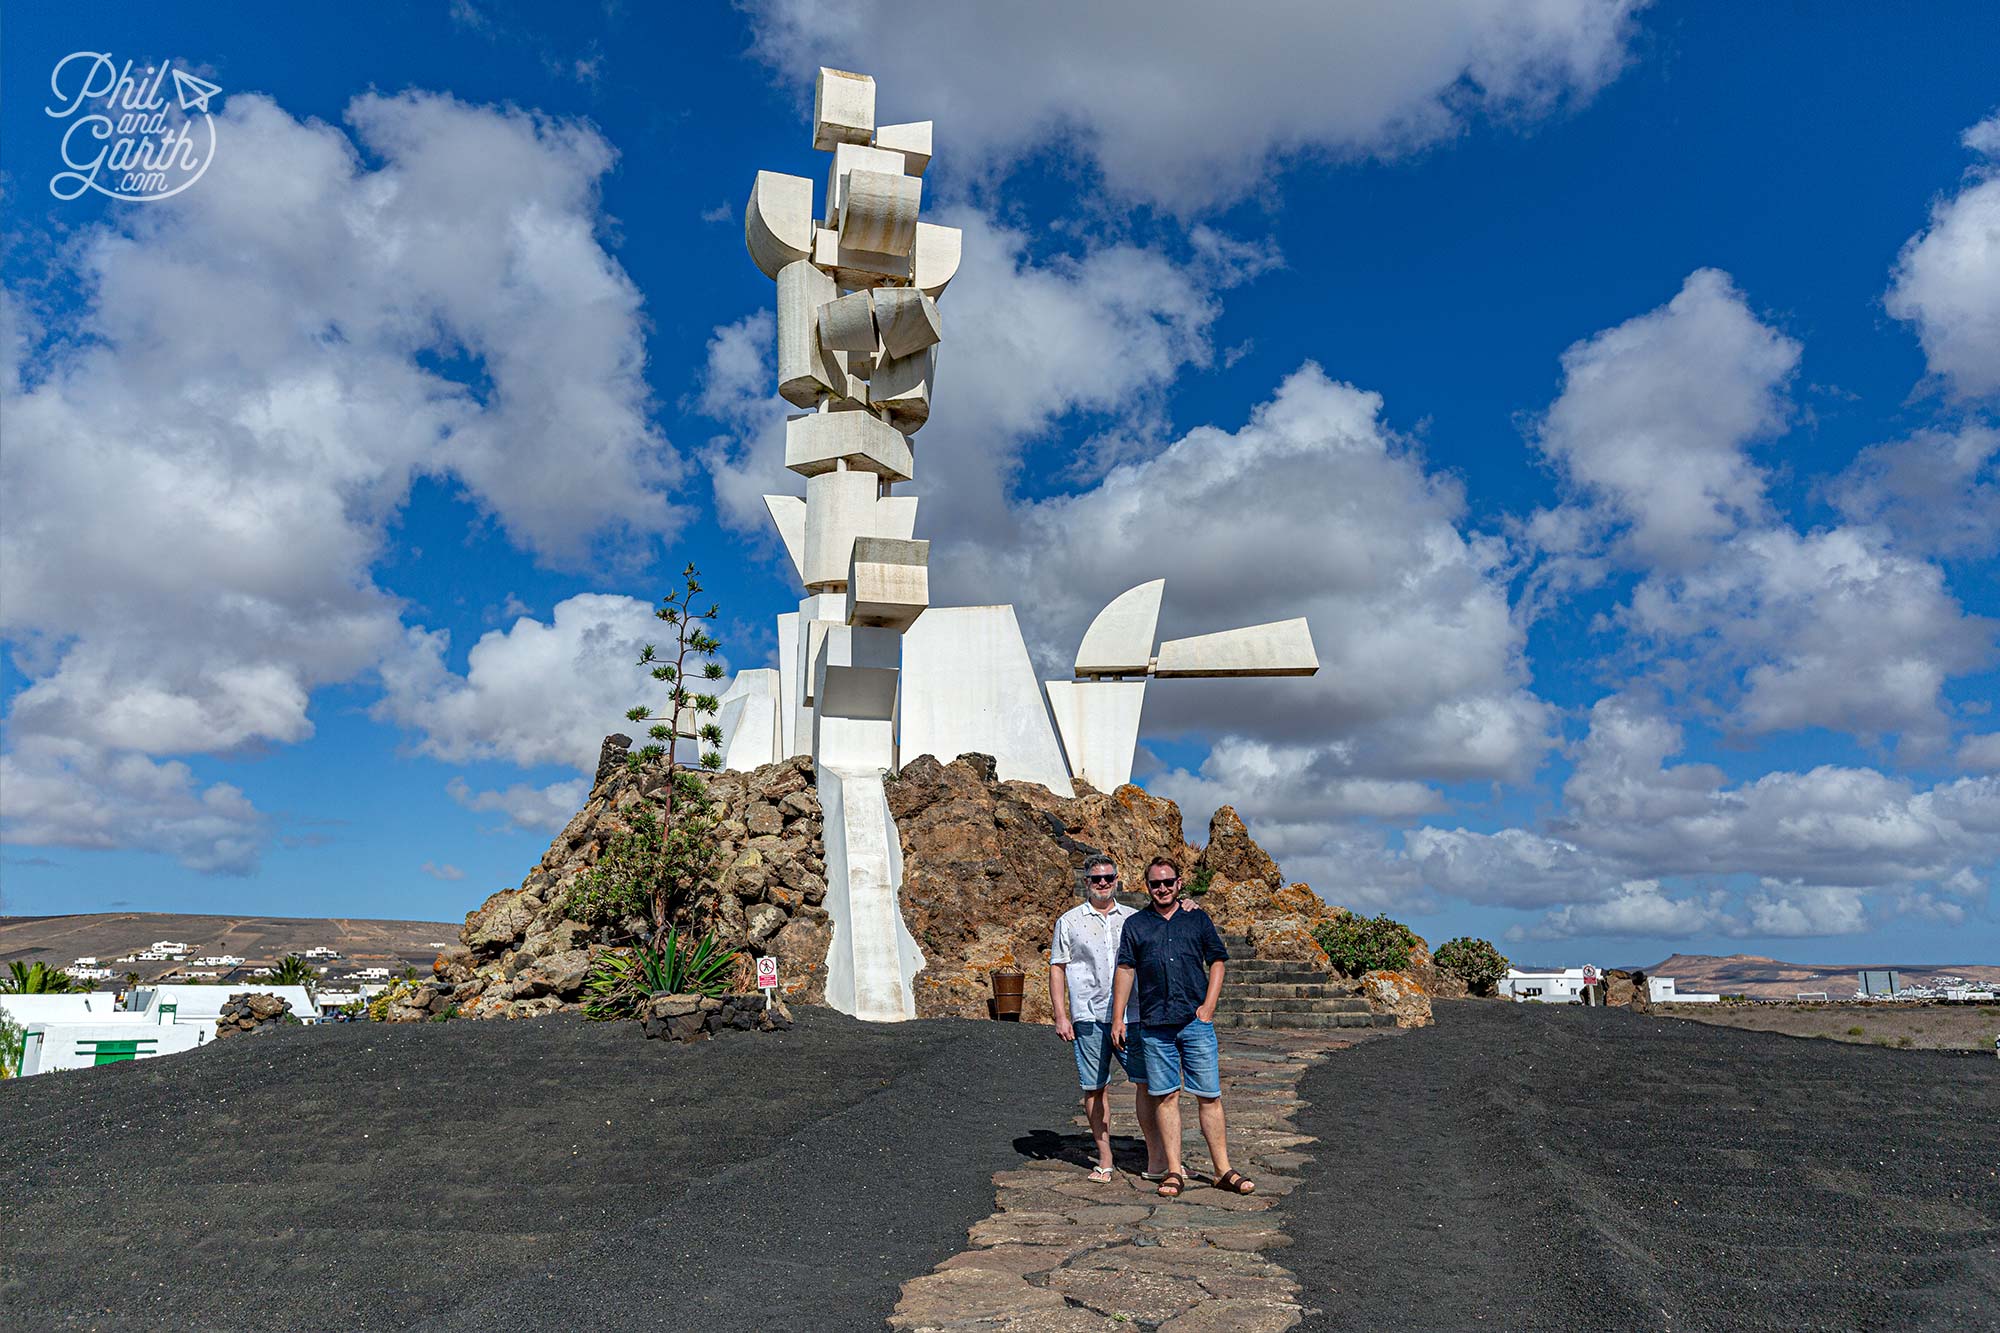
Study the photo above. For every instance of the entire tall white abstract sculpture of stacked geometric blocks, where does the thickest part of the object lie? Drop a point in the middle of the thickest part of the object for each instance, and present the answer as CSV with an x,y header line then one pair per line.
x,y
867,670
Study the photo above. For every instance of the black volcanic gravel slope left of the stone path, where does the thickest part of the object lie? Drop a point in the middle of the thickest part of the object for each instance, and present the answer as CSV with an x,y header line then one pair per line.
x,y
477,1176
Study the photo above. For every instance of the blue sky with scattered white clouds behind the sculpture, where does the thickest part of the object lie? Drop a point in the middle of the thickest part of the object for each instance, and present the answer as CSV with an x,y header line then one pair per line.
x,y
1613,389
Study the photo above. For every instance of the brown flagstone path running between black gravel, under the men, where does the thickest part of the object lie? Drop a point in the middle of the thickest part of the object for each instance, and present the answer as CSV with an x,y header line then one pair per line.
x,y
1065,1256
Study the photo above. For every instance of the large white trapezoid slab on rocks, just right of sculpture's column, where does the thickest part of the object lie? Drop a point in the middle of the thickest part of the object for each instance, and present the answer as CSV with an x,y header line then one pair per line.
x,y
969,688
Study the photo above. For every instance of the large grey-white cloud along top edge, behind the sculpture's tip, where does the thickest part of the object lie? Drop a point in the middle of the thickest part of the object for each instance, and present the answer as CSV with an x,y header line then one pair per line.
x,y
1159,99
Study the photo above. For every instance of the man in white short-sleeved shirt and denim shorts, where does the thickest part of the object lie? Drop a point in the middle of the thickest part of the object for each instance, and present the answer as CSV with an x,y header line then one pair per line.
x,y
1083,964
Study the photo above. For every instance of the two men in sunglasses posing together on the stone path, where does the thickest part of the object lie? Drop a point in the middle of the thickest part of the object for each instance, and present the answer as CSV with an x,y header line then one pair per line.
x,y
1143,988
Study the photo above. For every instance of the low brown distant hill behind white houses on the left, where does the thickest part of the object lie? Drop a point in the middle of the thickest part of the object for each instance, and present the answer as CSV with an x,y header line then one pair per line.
x,y
257,942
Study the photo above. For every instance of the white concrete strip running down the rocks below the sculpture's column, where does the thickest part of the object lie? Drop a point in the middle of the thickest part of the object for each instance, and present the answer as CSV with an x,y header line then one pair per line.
x,y
873,958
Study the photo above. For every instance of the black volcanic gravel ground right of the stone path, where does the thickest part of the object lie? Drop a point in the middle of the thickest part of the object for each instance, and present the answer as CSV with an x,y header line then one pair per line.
x,y
1527,1168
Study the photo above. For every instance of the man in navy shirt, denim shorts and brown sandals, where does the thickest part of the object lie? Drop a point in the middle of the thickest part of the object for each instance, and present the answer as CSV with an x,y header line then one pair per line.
x,y
1171,968
